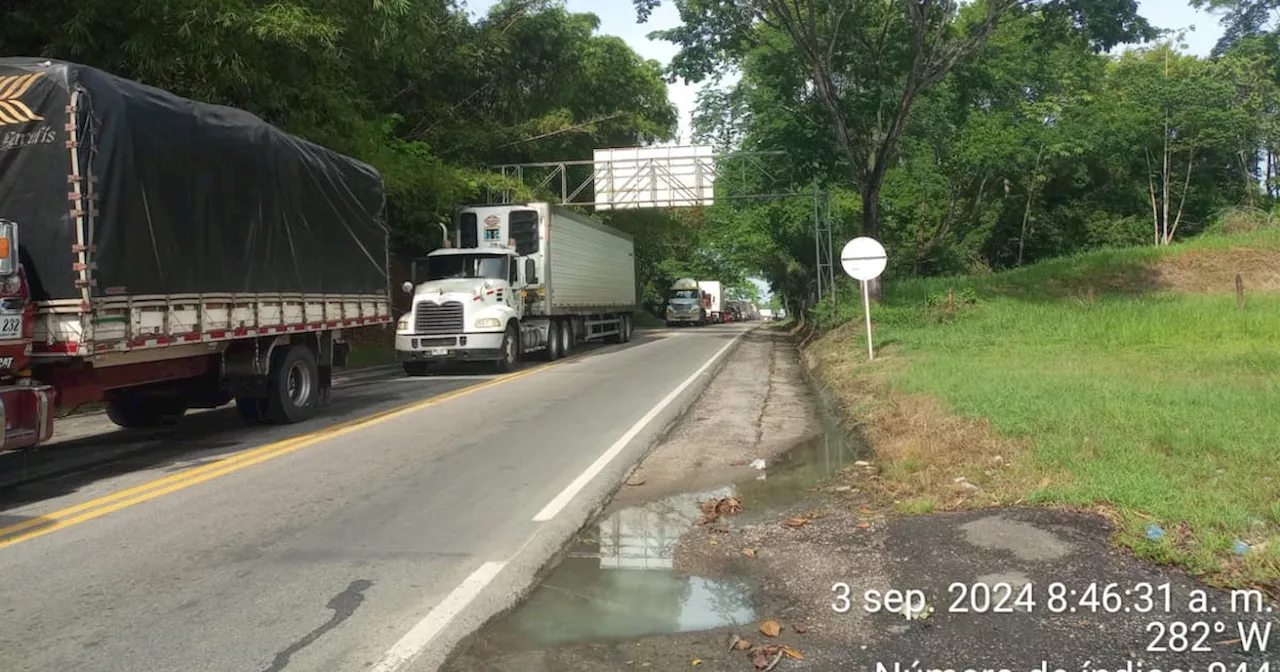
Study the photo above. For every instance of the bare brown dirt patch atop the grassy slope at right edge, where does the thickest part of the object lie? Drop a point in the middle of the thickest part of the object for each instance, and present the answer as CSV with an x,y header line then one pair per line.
x,y
1215,271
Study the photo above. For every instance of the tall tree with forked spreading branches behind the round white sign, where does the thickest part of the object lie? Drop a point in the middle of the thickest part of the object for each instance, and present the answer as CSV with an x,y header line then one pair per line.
x,y
867,65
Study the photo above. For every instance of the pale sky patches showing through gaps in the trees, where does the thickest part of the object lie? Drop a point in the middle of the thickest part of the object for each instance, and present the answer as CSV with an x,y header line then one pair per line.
x,y
619,19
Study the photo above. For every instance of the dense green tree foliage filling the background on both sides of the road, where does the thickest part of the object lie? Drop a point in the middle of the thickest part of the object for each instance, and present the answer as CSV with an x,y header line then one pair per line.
x,y
971,138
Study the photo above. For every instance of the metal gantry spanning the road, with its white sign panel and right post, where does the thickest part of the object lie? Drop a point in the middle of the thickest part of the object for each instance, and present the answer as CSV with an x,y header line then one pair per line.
x,y
683,177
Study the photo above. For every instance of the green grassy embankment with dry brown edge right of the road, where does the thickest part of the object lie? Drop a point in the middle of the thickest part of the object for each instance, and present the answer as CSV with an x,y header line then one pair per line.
x,y
1127,382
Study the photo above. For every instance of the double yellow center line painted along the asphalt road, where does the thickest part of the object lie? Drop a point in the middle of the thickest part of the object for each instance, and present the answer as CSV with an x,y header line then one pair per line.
x,y
94,509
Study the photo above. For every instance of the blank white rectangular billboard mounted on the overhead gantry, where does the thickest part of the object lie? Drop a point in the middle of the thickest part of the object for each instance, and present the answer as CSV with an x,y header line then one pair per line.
x,y
655,177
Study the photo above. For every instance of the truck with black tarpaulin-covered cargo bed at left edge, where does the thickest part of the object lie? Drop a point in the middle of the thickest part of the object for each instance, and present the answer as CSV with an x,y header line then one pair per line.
x,y
159,255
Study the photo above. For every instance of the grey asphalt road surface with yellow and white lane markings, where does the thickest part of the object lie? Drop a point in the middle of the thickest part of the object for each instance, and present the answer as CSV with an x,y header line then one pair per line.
x,y
346,543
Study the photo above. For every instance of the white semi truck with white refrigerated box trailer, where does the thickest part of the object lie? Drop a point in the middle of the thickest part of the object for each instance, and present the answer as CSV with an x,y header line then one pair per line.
x,y
518,280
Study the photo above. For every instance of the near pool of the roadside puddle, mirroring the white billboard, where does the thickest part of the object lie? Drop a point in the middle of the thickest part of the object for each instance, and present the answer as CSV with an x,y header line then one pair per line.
x,y
621,584
